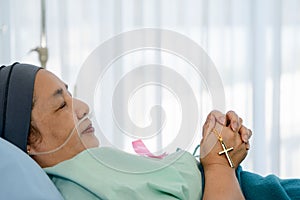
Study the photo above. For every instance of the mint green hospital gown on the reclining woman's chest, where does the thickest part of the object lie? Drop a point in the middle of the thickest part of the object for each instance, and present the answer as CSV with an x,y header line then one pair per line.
x,y
108,173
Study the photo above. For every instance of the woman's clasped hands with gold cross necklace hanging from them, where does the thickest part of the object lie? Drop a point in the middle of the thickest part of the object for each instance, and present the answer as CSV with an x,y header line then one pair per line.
x,y
233,133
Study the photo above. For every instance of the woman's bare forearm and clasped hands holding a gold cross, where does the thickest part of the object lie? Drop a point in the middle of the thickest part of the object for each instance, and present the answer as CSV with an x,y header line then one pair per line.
x,y
220,179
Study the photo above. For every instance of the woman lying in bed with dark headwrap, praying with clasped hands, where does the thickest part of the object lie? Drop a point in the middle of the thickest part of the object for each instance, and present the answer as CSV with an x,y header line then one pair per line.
x,y
40,116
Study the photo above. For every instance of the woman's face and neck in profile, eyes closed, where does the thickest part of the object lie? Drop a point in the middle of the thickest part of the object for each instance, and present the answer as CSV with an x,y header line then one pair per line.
x,y
54,115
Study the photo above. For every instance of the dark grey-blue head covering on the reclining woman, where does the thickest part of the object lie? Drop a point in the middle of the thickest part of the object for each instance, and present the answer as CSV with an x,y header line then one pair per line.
x,y
16,92
